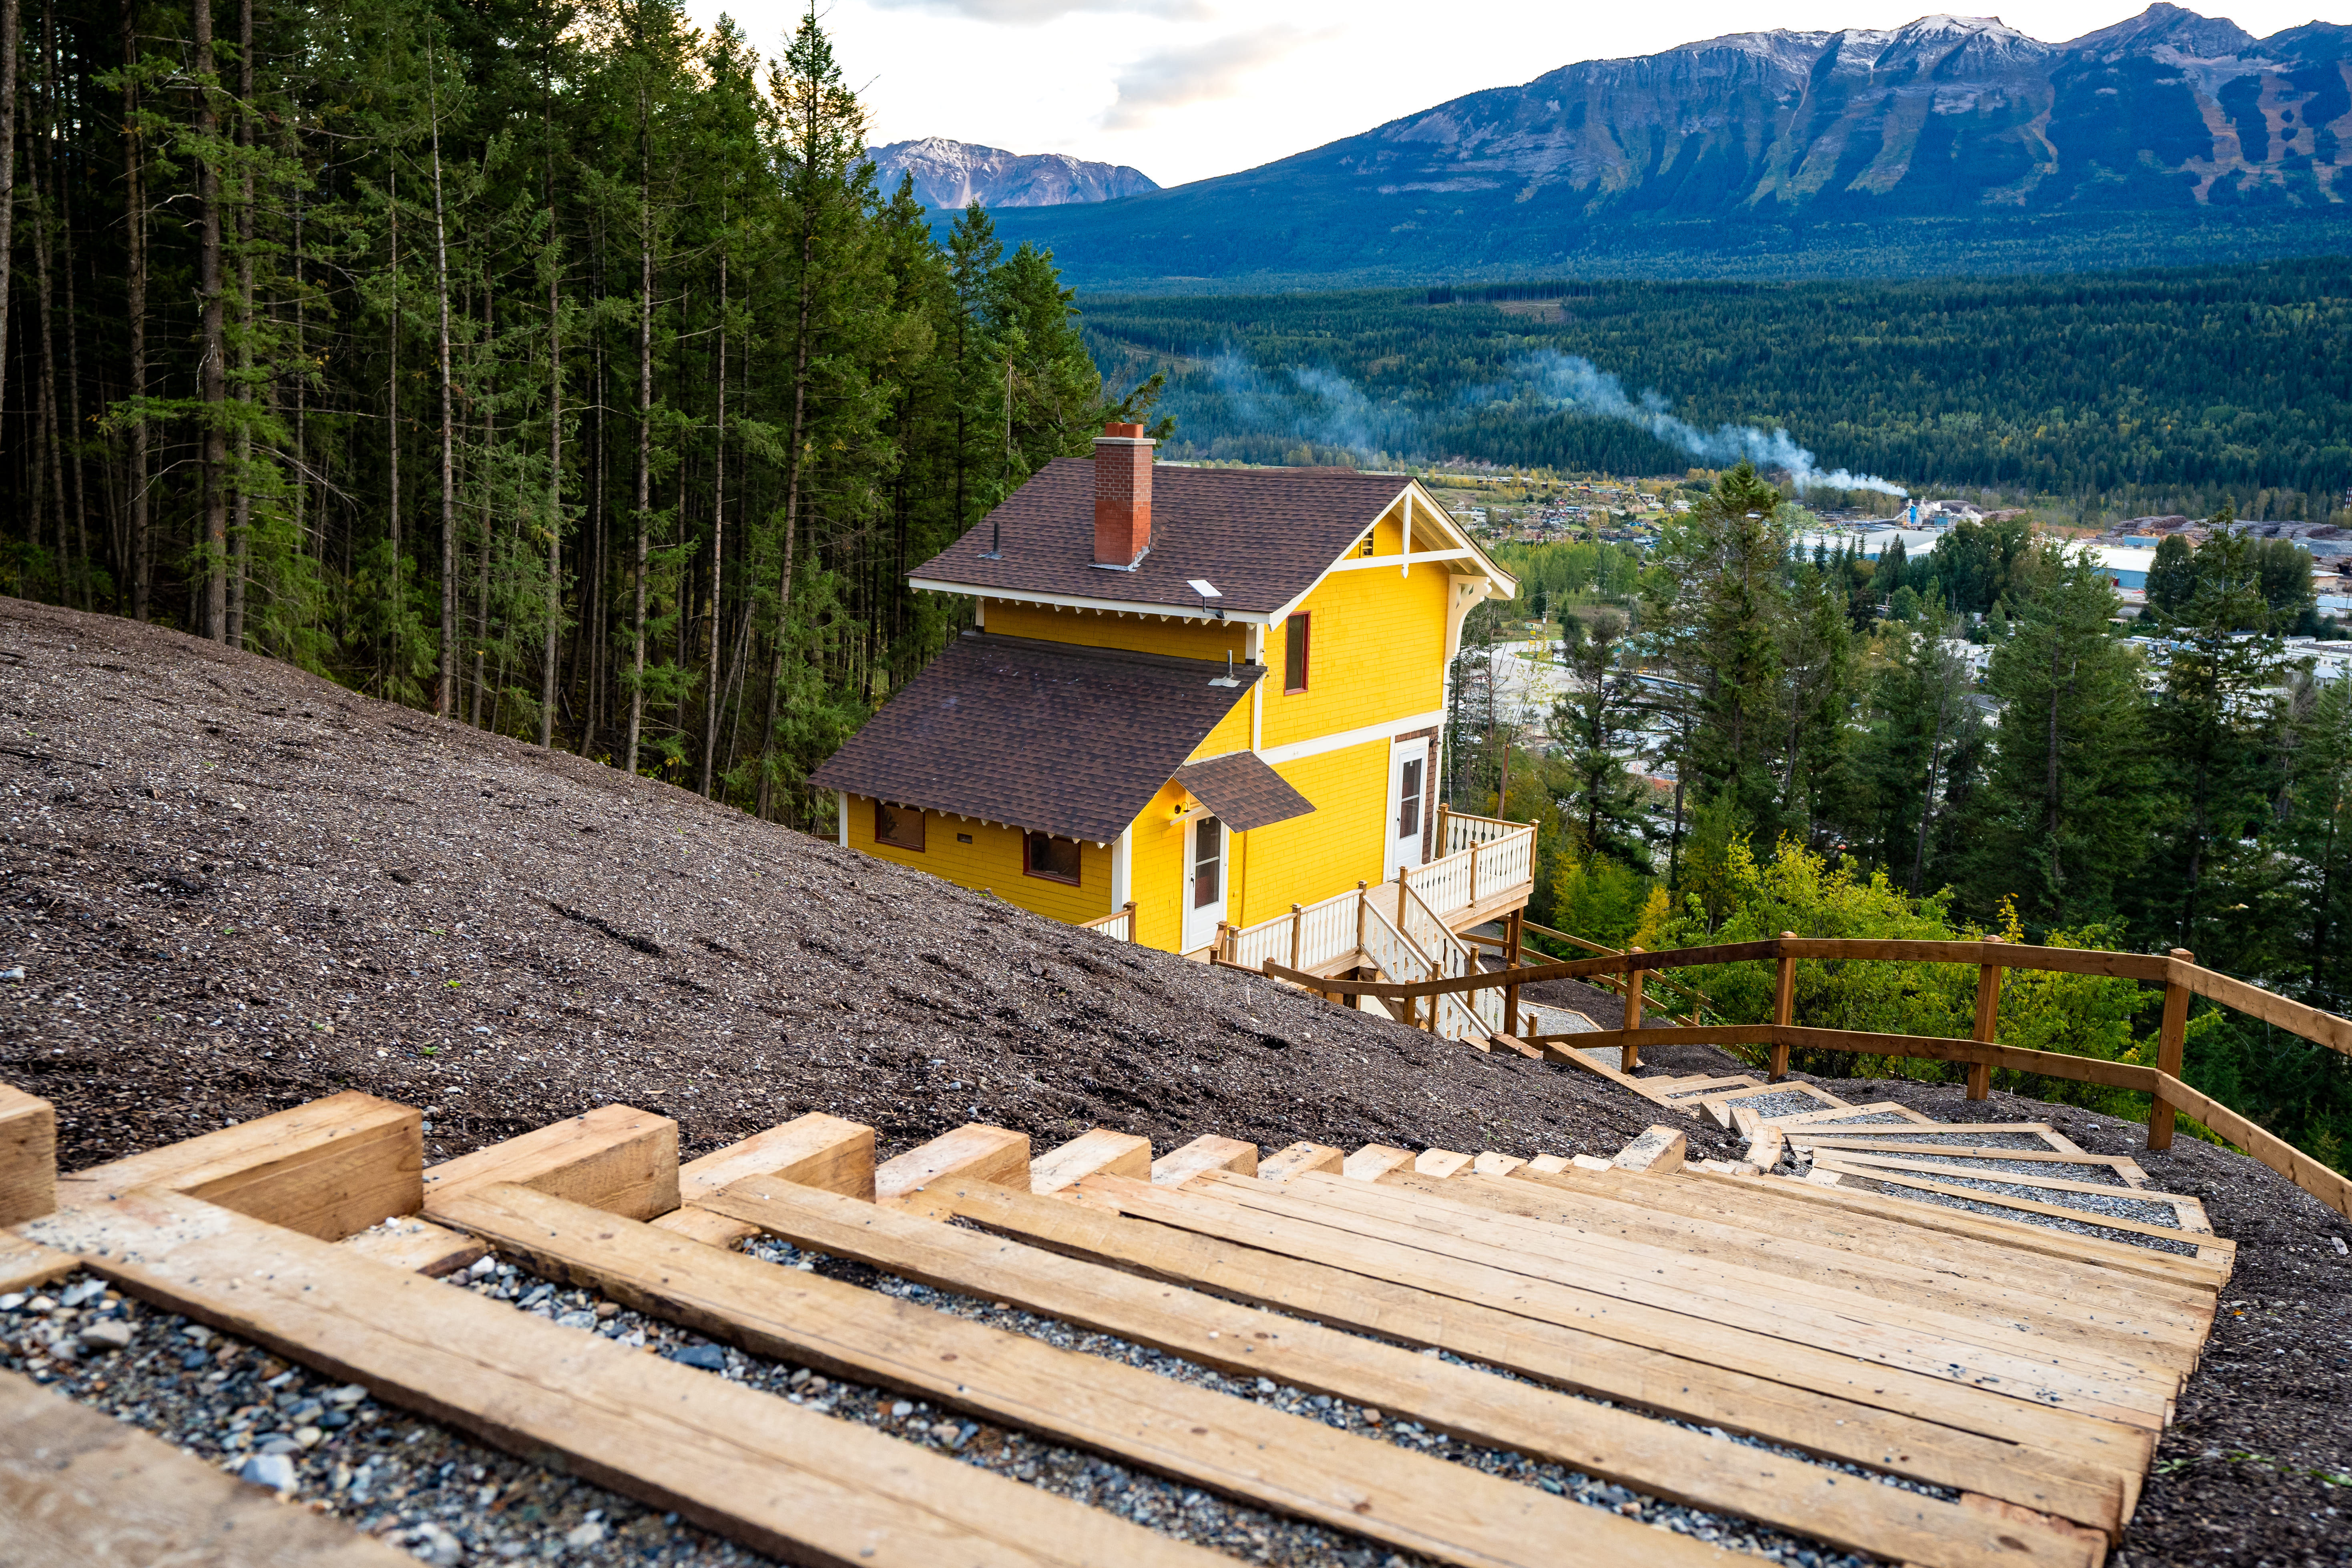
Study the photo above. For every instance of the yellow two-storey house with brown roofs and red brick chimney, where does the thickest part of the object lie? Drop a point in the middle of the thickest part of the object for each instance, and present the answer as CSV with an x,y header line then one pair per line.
x,y
1198,711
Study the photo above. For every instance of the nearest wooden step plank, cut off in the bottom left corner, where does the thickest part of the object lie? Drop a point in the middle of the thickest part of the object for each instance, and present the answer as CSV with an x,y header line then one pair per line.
x,y
88,1492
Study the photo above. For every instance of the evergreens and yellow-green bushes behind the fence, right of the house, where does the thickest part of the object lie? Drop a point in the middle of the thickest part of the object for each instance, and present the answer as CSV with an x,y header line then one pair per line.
x,y
1836,770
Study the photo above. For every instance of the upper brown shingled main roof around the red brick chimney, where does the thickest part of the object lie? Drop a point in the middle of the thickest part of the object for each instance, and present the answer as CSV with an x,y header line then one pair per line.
x,y
1262,537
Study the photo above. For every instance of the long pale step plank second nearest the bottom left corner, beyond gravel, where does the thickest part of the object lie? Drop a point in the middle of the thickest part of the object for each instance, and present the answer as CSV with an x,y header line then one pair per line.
x,y
740,1463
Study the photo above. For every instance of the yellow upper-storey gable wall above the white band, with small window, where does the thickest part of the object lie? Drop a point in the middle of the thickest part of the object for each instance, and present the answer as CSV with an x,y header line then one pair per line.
x,y
1377,650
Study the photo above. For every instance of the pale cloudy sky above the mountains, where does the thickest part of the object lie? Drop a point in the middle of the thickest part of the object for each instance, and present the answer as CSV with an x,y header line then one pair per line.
x,y
1196,88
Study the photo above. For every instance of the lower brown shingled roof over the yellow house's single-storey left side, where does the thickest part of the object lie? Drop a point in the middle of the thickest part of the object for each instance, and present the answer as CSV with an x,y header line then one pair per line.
x,y
1038,735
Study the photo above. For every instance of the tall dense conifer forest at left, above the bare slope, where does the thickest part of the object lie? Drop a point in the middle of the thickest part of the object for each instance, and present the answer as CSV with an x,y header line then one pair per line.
x,y
544,363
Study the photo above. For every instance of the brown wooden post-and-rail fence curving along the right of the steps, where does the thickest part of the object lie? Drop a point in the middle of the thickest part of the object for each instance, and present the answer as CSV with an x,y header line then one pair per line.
x,y
2177,972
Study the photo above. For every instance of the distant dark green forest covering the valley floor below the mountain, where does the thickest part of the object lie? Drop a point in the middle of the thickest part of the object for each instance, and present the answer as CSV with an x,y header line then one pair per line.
x,y
2120,394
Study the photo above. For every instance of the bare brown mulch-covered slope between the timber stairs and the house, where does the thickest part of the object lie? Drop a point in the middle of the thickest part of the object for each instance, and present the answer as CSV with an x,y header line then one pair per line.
x,y
236,887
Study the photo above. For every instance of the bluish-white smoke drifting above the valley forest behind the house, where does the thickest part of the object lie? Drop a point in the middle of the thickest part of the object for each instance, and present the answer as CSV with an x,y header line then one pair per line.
x,y
1325,408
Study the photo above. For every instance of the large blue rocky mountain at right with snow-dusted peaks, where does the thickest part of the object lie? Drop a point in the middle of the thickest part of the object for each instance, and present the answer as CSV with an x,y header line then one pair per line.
x,y
2163,140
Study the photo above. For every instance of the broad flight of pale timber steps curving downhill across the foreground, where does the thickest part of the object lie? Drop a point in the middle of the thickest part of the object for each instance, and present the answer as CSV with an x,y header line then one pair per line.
x,y
1650,1320
